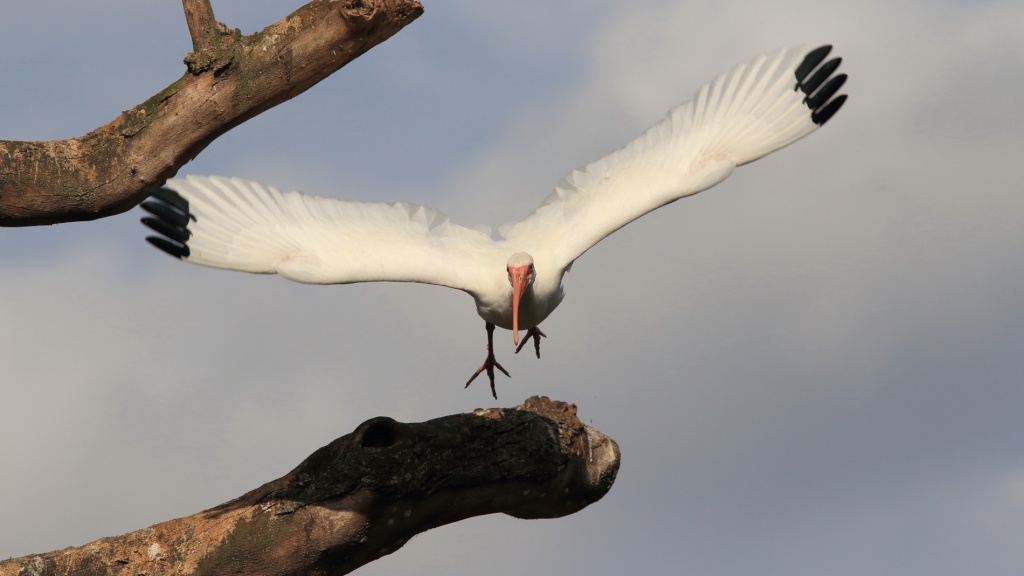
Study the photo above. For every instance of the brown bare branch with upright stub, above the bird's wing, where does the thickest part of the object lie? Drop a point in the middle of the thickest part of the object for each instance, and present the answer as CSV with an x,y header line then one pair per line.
x,y
230,79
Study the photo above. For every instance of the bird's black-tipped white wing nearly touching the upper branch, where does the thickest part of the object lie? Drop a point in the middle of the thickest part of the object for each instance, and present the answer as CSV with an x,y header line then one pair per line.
x,y
241,225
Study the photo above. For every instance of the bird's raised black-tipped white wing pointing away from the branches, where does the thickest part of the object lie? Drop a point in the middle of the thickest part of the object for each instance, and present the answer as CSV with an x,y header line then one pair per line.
x,y
756,109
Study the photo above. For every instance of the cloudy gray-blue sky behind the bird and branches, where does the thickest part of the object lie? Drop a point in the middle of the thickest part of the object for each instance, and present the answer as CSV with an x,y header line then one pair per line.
x,y
815,368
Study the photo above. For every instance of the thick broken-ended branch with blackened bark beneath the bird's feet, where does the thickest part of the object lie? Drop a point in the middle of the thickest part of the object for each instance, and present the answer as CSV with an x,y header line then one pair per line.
x,y
366,495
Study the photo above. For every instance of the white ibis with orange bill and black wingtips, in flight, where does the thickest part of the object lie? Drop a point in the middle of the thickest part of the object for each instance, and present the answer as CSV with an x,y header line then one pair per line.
x,y
758,108
